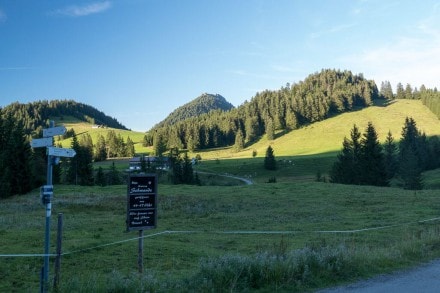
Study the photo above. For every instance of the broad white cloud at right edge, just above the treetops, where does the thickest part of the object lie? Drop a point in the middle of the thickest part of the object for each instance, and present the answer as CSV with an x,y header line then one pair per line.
x,y
412,58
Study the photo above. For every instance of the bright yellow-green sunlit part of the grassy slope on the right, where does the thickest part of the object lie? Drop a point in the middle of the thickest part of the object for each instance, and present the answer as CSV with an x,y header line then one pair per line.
x,y
326,136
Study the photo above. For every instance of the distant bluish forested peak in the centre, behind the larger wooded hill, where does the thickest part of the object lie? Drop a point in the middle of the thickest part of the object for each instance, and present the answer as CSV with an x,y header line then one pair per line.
x,y
201,105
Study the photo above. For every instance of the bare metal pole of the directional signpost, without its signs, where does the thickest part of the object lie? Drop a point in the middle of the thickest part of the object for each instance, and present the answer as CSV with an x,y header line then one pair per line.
x,y
48,214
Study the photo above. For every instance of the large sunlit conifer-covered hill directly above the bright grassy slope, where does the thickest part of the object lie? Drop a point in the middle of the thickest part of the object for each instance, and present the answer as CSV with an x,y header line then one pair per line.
x,y
319,96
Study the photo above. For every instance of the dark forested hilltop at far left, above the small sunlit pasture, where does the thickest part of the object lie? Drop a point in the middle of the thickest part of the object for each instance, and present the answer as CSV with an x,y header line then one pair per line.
x,y
34,116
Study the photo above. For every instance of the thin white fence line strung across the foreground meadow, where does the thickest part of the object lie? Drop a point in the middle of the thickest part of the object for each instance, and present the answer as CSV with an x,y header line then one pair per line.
x,y
224,232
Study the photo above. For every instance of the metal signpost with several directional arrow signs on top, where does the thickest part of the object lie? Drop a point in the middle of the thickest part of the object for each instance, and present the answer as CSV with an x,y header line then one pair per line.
x,y
47,190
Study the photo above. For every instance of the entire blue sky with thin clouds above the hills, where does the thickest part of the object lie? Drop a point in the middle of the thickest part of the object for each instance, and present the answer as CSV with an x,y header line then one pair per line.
x,y
137,60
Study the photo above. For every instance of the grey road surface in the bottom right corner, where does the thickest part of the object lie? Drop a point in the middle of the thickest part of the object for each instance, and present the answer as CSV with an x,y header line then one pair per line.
x,y
423,279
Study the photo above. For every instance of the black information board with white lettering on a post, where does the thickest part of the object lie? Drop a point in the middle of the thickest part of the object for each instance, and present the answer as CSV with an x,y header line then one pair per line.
x,y
142,202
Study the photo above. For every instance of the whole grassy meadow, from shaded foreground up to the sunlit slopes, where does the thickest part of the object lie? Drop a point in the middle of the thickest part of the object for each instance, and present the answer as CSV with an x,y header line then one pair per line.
x,y
294,235
